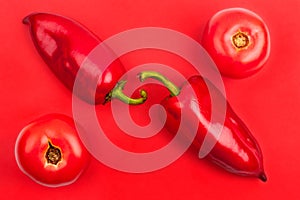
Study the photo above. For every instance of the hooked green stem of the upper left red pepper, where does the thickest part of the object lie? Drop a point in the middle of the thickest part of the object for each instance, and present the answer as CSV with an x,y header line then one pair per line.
x,y
117,93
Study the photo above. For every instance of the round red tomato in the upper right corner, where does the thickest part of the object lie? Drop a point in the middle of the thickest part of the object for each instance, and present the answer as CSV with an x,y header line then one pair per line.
x,y
238,41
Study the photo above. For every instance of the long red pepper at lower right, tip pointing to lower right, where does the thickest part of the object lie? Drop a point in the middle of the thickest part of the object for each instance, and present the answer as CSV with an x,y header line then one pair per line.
x,y
236,150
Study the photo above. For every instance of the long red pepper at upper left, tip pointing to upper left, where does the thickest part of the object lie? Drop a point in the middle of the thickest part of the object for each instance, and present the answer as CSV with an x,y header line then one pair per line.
x,y
64,44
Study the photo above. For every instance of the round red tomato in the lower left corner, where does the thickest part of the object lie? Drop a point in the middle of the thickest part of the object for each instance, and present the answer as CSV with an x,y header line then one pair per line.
x,y
50,151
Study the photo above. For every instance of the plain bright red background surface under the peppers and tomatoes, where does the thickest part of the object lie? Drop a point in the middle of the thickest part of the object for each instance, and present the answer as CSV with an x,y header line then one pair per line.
x,y
268,102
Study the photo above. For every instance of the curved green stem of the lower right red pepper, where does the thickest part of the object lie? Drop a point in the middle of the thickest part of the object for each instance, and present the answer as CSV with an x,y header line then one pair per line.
x,y
174,90
